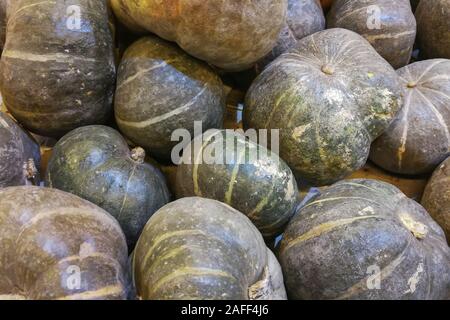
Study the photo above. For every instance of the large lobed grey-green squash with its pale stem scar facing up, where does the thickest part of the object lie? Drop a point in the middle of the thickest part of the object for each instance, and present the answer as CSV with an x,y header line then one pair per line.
x,y
330,96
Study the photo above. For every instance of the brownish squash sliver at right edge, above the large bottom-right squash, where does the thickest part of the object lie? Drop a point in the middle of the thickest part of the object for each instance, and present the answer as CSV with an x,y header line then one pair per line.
x,y
436,197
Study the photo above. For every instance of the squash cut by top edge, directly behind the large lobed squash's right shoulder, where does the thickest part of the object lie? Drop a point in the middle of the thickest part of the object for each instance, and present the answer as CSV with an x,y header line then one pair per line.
x,y
388,25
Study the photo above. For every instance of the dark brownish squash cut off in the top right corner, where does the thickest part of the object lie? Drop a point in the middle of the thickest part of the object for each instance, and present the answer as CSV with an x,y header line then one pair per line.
x,y
433,25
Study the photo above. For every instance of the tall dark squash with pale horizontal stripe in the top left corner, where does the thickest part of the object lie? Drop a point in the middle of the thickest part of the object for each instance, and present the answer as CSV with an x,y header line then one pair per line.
x,y
57,67
